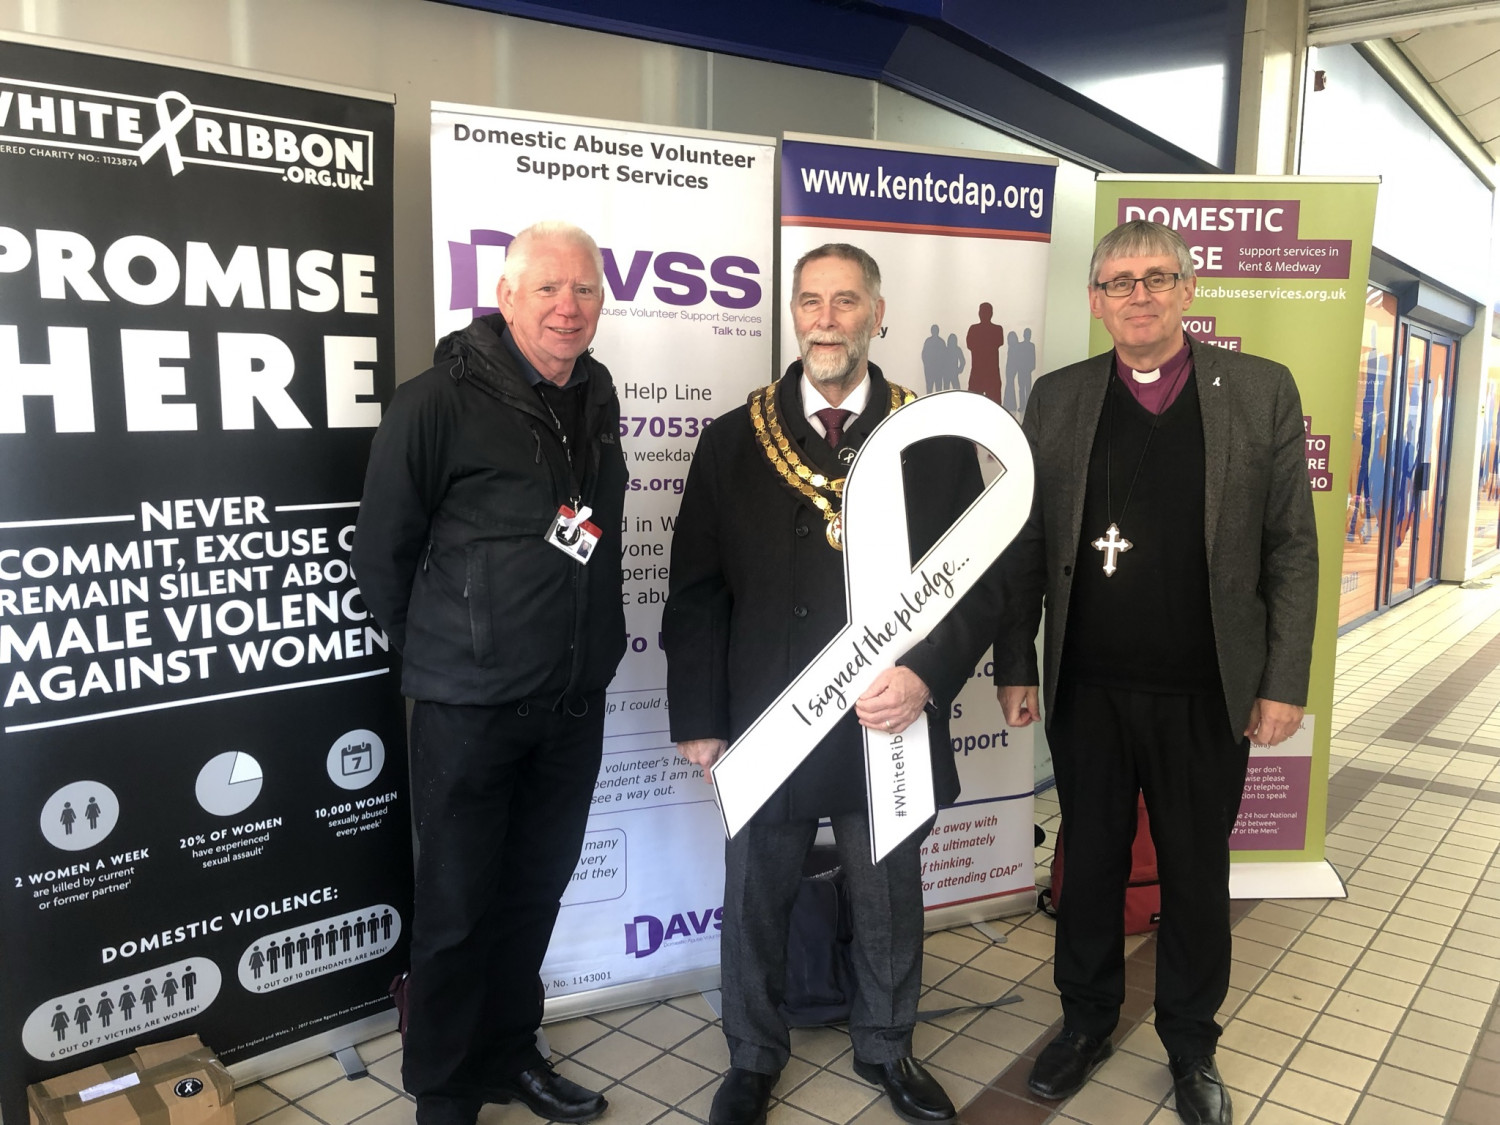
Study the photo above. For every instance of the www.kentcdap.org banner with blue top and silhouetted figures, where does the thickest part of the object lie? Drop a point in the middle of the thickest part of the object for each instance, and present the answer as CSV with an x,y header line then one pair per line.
x,y
962,241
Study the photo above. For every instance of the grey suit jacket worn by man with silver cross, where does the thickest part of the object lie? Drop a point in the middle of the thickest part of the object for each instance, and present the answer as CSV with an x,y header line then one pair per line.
x,y
1259,530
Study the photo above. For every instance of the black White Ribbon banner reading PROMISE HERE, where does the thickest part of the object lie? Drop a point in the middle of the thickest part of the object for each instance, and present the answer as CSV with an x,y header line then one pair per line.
x,y
205,806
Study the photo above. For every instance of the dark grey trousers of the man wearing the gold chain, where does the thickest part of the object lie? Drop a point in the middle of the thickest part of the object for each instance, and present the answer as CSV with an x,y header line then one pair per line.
x,y
763,872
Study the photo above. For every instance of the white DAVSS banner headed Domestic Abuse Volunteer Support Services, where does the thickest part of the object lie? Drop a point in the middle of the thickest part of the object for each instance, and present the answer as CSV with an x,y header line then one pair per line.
x,y
685,226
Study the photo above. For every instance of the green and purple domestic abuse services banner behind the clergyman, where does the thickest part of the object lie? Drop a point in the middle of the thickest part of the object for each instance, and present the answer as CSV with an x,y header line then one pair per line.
x,y
1282,266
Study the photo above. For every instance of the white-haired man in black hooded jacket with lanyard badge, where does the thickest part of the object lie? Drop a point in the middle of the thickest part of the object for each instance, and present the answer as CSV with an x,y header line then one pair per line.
x,y
490,481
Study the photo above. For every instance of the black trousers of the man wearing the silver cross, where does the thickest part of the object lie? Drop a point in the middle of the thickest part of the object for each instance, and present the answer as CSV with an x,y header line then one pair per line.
x,y
1180,751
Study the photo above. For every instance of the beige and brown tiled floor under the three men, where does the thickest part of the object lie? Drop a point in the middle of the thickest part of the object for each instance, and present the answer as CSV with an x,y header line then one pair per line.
x,y
1376,1010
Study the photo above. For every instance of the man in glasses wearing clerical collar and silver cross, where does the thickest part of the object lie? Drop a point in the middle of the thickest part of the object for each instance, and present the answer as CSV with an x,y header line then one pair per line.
x,y
1174,541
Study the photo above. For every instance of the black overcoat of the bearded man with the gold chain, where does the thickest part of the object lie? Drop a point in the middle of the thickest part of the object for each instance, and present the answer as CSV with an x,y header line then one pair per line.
x,y
757,593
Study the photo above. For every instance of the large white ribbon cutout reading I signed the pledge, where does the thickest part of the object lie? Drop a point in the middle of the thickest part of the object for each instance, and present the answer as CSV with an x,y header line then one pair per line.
x,y
892,607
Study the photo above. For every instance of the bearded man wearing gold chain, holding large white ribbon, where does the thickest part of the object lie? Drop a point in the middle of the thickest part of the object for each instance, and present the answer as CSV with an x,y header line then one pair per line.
x,y
757,593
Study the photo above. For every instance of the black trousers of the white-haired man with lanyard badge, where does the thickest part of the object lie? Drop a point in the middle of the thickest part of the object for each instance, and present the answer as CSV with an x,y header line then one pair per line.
x,y
502,799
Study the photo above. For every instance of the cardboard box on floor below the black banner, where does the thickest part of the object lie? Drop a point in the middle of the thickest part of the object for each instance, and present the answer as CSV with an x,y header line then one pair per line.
x,y
164,1084
